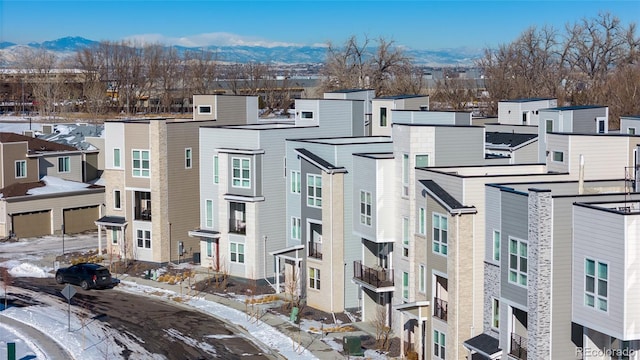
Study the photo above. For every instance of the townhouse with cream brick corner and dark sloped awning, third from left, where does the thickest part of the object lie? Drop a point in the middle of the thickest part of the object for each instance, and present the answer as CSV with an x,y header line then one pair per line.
x,y
321,207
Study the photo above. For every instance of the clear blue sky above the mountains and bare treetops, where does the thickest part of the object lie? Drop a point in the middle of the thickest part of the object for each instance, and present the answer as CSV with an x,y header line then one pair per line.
x,y
414,24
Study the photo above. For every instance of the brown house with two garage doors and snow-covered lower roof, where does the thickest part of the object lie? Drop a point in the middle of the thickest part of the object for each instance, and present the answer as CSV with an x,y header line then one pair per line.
x,y
43,188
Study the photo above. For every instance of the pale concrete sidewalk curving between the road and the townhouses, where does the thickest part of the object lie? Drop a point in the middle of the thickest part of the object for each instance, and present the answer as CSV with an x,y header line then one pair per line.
x,y
312,342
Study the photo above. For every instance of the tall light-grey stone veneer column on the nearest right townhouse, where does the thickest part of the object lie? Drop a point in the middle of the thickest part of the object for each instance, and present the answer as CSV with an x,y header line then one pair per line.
x,y
539,274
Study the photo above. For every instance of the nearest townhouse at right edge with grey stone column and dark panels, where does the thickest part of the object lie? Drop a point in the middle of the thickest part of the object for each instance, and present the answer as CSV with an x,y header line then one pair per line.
x,y
535,282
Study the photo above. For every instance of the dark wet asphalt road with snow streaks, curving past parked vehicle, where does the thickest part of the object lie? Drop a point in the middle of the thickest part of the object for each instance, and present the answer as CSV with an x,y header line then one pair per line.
x,y
157,325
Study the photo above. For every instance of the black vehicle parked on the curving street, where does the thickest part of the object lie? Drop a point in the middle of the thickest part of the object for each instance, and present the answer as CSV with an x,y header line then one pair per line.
x,y
87,275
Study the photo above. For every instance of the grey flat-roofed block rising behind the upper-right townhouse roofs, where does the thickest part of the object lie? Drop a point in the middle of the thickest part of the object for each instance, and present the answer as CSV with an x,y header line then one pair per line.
x,y
587,119
